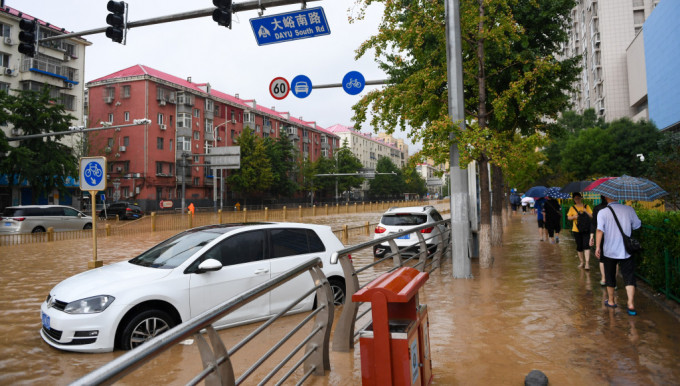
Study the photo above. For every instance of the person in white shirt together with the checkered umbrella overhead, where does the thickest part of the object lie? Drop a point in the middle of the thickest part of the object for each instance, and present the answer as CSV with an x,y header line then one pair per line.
x,y
616,223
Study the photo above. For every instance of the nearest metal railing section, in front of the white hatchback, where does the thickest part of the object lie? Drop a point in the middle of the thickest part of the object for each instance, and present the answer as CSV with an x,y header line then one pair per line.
x,y
217,367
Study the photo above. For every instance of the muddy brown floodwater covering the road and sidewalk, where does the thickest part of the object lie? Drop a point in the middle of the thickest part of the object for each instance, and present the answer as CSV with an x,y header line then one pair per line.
x,y
533,310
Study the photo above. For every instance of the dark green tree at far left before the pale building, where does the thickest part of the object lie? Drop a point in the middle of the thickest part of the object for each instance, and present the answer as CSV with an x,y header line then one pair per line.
x,y
44,163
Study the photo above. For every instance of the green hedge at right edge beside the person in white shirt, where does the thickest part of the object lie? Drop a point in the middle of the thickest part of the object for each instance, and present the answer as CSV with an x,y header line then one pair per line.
x,y
659,262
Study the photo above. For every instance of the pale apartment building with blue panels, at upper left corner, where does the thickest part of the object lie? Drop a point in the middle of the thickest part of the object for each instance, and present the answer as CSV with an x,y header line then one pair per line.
x,y
59,64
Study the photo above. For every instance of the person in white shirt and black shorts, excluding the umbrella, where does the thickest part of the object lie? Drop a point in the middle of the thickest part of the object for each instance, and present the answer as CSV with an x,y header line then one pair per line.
x,y
610,249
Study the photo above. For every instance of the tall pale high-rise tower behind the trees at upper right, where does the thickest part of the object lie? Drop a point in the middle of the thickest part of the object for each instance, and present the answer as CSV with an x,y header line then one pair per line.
x,y
601,31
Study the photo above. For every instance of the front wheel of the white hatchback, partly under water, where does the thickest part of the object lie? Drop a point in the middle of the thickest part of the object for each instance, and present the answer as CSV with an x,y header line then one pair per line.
x,y
144,326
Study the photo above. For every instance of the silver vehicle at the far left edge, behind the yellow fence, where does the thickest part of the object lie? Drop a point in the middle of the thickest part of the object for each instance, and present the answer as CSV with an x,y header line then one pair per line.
x,y
37,218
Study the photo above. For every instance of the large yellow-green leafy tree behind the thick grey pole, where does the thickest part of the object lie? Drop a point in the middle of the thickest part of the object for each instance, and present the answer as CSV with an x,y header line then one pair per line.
x,y
512,79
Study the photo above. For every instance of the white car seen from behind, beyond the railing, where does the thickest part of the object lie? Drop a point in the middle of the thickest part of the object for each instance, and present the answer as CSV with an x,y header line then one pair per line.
x,y
400,219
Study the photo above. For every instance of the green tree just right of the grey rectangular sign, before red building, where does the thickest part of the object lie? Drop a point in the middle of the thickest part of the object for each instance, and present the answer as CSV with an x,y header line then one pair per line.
x,y
255,175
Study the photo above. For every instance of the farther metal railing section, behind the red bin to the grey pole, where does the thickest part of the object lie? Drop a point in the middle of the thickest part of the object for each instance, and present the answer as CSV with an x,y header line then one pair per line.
x,y
345,335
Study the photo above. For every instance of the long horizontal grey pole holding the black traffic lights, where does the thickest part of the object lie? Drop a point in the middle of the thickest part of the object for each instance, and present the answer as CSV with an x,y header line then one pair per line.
x,y
235,7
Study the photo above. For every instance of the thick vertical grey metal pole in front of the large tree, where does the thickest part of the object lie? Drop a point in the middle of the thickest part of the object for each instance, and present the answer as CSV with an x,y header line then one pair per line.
x,y
460,224
